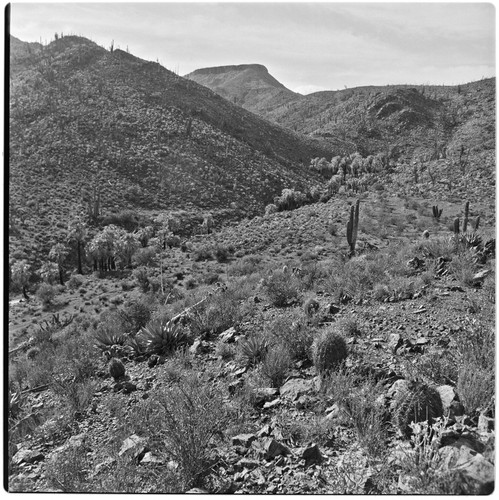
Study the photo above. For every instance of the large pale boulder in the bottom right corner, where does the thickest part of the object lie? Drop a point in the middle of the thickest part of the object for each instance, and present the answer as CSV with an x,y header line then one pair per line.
x,y
472,466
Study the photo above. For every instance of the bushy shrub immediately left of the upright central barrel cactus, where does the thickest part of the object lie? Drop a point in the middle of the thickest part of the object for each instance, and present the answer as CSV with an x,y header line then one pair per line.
x,y
294,333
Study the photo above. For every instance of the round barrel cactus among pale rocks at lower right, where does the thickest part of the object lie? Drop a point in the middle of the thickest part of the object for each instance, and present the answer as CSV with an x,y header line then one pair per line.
x,y
416,403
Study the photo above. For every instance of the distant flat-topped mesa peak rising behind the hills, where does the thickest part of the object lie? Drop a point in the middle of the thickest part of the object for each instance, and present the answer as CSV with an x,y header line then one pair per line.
x,y
248,85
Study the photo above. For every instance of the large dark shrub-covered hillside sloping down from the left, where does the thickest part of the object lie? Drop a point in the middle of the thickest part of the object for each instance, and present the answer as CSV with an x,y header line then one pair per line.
x,y
86,120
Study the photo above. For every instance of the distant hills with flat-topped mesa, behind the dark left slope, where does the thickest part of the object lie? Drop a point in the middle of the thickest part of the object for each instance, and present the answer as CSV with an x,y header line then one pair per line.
x,y
412,121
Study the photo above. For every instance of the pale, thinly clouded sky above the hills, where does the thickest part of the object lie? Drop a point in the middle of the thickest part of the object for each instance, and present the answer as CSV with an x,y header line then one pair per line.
x,y
306,46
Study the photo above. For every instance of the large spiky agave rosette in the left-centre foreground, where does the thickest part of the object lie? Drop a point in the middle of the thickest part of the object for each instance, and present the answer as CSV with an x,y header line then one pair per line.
x,y
162,337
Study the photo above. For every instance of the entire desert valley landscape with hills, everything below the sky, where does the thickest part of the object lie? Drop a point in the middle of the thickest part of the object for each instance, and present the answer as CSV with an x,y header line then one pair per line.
x,y
218,285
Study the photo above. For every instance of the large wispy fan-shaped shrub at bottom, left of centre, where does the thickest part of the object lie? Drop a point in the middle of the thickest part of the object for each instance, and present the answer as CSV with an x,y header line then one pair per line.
x,y
190,417
